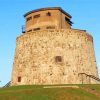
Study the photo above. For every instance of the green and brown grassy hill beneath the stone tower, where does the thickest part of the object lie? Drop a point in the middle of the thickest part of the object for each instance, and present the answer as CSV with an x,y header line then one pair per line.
x,y
38,92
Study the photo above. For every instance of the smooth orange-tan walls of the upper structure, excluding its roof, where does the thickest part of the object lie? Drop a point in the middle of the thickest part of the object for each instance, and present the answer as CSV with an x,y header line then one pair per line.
x,y
56,20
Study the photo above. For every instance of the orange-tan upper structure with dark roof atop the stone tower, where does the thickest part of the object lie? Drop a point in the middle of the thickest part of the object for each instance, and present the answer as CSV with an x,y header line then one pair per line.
x,y
47,18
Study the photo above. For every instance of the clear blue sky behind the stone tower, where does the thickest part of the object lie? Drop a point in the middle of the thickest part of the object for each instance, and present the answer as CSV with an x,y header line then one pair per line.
x,y
85,15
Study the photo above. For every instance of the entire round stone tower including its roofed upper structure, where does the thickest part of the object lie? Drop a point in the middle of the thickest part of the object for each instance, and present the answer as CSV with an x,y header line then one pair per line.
x,y
50,52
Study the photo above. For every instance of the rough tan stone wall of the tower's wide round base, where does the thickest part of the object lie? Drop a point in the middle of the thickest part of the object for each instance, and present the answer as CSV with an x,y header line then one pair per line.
x,y
53,57
